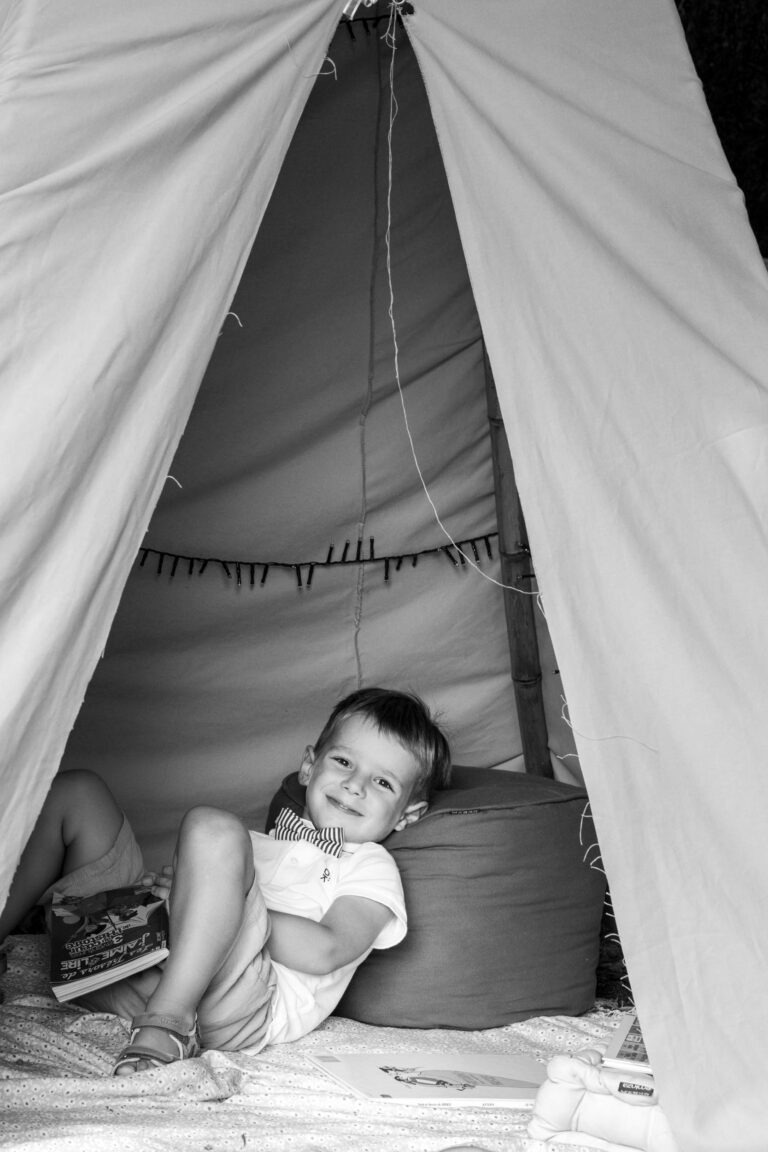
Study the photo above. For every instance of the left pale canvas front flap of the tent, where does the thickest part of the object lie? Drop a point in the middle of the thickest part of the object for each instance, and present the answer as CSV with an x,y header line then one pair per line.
x,y
139,160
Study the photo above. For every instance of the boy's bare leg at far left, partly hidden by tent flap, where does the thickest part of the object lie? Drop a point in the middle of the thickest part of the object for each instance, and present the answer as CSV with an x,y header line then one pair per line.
x,y
78,824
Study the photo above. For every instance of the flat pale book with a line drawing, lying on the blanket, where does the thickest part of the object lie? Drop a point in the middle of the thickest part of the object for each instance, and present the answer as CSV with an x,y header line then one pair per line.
x,y
470,1080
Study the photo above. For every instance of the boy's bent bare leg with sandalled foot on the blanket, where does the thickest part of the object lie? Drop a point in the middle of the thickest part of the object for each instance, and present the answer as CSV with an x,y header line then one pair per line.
x,y
214,874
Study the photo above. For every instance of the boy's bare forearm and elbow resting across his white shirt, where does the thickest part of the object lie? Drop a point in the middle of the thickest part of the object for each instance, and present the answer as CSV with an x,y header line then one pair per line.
x,y
348,929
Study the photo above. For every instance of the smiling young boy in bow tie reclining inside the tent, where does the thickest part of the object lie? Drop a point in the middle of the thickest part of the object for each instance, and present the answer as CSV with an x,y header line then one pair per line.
x,y
322,907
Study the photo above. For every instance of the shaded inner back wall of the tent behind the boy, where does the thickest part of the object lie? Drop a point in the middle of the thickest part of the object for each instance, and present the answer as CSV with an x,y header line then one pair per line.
x,y
294,554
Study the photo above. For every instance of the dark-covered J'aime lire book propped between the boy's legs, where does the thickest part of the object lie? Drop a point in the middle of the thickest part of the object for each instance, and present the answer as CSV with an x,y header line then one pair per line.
x,y
100,939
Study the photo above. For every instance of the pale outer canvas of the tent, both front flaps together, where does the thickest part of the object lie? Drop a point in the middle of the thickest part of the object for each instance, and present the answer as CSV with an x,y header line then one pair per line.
x,y
625,308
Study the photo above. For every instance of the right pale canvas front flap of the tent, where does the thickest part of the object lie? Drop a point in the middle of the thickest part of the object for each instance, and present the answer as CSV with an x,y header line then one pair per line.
x,y
625,313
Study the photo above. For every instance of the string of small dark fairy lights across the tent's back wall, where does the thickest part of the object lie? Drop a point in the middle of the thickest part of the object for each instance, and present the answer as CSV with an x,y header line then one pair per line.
x,y
248,571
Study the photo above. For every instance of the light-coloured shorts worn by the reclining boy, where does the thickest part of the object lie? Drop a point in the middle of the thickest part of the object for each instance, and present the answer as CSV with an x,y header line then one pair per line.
x,y
237,1009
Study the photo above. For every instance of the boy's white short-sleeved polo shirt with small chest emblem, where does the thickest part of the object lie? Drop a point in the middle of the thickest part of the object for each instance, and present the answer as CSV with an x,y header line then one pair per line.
x,y
300,878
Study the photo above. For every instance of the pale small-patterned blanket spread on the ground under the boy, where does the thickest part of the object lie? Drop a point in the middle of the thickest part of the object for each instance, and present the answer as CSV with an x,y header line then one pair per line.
x,y
57,1093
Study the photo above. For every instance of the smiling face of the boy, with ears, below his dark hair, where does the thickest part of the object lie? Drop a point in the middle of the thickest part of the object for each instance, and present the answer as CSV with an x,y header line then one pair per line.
x,y
362,783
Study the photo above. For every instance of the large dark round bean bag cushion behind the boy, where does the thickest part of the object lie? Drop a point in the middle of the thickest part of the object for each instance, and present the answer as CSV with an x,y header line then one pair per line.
x,y
504,907
